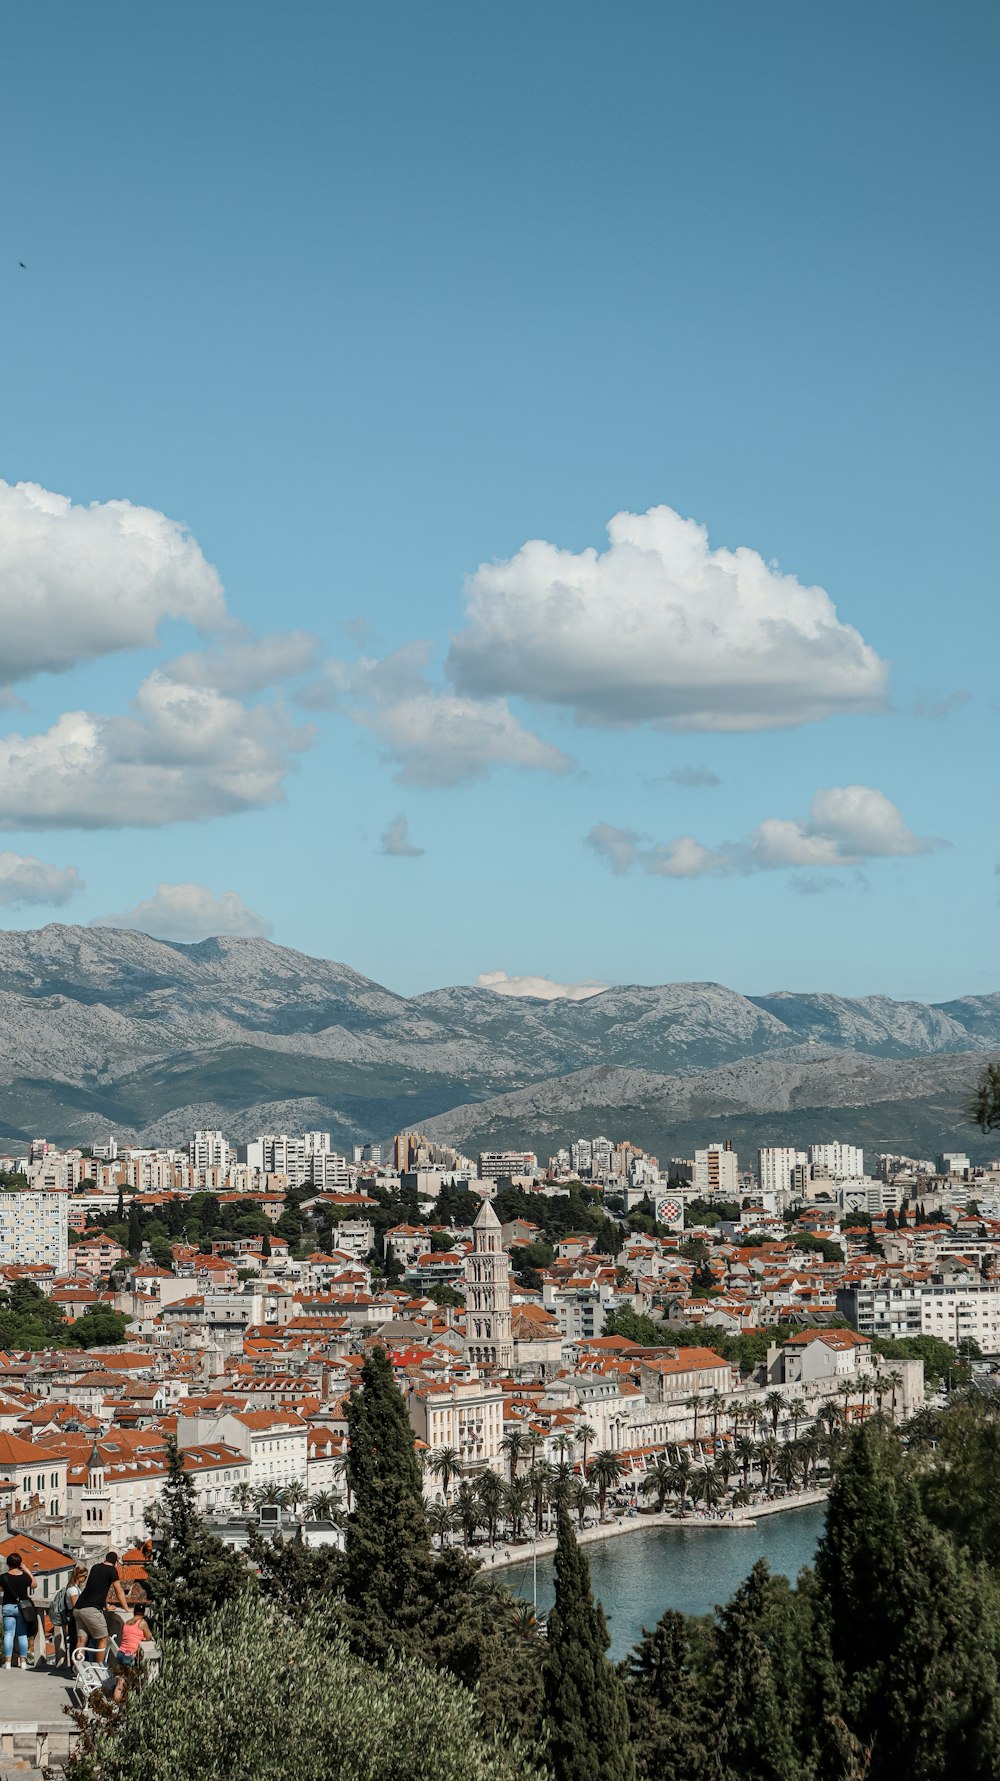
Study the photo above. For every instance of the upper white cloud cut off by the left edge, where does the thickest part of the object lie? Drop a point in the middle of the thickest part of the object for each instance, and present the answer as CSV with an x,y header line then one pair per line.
x,y
85,581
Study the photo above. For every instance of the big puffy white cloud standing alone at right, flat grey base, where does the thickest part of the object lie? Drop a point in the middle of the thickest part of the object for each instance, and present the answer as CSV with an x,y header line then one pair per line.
x,y
662,630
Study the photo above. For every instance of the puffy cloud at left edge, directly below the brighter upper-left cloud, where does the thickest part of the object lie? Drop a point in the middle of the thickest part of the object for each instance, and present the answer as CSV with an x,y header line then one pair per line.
x,y
183,754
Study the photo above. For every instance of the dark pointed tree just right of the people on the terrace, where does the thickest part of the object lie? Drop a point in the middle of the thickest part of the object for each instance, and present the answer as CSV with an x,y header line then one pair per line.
x,y
193,1572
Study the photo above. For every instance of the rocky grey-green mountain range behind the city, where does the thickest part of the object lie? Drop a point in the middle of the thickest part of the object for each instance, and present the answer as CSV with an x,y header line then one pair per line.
x,y
110,1030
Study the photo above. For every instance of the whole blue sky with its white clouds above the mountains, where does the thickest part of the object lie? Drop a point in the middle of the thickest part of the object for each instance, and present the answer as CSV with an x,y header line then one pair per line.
x,y
368,298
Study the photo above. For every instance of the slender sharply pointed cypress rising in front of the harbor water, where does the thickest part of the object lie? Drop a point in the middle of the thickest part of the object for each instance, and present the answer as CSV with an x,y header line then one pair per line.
x,y
586,1698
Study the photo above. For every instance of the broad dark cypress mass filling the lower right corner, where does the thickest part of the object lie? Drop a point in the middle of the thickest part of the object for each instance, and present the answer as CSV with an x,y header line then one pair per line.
x,y
914,1625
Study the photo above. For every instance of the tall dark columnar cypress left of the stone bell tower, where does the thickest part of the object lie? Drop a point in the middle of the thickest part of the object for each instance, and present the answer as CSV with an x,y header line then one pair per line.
x,y
388,1549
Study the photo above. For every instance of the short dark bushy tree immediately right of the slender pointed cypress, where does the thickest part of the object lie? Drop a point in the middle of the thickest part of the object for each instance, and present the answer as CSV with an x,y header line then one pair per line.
x,y
671,1702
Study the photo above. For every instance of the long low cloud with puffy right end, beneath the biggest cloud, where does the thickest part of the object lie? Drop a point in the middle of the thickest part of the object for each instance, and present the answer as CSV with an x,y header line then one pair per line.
x,y
848,825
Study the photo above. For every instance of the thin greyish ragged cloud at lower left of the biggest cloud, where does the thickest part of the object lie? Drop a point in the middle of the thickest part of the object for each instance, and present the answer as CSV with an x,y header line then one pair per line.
x,y
436,738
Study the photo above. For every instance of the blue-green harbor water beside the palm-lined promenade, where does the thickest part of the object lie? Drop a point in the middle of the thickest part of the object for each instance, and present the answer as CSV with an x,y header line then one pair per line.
x,y
641,1575
